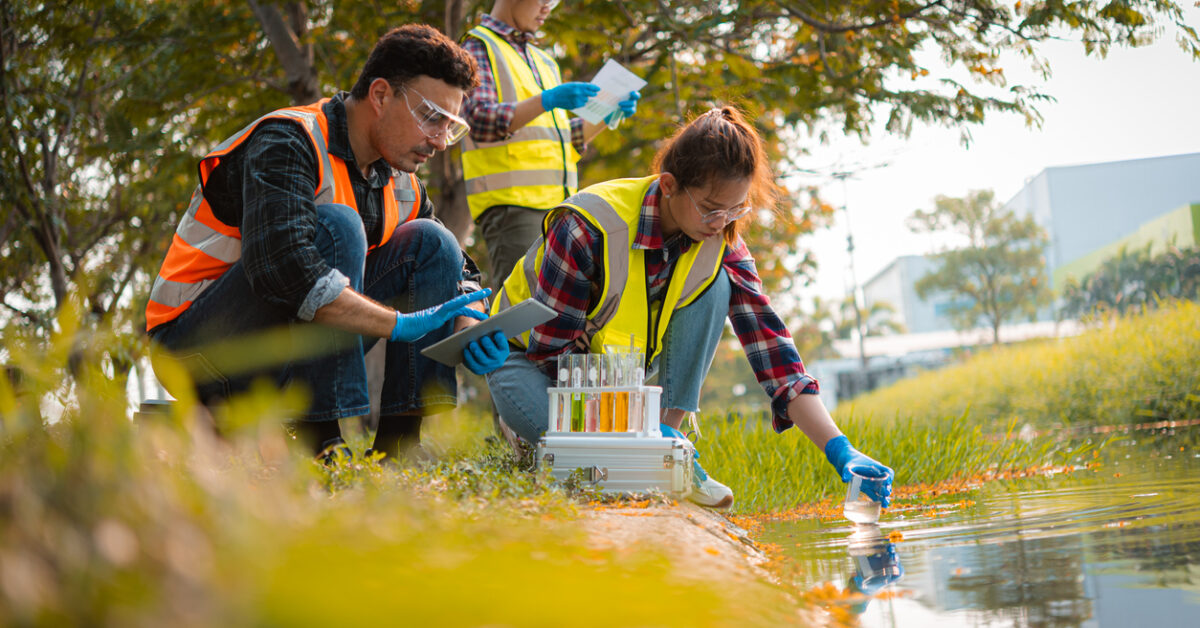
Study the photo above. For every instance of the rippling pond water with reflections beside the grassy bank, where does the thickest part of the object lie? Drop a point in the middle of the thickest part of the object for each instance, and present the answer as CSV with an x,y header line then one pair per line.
x,y
1117,546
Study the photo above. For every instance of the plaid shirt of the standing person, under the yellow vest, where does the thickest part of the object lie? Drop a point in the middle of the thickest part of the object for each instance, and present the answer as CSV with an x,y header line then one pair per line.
x,y
489,119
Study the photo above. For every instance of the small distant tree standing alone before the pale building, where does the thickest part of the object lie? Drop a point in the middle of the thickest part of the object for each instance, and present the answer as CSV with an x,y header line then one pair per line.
x,y
999,274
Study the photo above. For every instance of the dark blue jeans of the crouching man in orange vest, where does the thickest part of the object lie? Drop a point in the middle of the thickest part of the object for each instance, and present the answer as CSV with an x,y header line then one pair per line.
x,y
419,267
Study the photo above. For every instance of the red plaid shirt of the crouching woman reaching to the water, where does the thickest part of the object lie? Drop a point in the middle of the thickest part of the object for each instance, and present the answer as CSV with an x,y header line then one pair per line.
x,y
573,266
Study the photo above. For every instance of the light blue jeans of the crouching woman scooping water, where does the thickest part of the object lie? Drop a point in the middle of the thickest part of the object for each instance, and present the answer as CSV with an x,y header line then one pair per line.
x,y
519,387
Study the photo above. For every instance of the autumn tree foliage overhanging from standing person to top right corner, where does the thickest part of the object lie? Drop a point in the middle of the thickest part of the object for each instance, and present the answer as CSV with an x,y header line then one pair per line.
x,y
802,69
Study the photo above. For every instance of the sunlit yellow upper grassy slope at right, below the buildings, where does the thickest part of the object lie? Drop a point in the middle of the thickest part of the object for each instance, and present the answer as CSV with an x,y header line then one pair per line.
x,y
1130,370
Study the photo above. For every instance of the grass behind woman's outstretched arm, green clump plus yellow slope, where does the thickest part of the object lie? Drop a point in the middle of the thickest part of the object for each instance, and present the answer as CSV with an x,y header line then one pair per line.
x,y
963,421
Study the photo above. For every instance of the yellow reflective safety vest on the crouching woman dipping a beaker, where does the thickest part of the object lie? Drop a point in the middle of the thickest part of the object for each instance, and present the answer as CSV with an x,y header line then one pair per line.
x,y
622,316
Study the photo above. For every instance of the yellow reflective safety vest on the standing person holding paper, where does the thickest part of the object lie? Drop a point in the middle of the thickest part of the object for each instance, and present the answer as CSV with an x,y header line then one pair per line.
x,y
535,168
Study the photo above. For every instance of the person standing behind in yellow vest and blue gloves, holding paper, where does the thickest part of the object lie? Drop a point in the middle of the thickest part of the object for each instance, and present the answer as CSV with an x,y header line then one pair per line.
x,y
520,158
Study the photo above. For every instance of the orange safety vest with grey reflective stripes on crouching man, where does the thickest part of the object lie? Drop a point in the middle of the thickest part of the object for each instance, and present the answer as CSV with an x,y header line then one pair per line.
x,y
205,248
